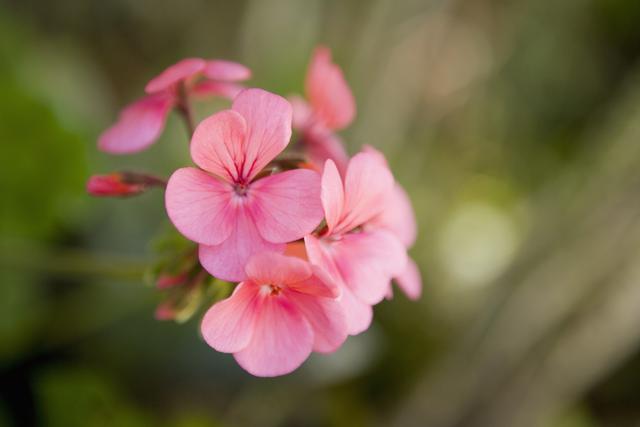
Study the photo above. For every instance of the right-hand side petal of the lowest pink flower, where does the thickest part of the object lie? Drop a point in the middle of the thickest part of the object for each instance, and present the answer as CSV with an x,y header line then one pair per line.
x,y
326,317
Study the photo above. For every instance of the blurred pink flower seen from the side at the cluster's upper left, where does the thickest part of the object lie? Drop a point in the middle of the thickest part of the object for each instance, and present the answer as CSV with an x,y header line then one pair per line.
x,y
142,122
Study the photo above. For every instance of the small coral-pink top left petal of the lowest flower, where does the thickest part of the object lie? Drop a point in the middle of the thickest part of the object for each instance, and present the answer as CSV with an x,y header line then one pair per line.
x,y
277,269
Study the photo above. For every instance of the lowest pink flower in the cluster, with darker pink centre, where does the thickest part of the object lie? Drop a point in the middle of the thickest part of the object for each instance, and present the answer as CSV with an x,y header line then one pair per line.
x,y
274,319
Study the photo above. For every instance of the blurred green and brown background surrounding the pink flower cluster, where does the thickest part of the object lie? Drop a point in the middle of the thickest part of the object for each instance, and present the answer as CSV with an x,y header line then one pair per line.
x,y
515,127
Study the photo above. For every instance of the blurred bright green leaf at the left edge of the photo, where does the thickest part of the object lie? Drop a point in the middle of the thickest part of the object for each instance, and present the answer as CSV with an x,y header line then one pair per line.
x,y
43,164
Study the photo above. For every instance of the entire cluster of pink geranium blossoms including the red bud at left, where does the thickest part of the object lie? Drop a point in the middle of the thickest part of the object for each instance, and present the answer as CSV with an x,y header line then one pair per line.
x,y
313,238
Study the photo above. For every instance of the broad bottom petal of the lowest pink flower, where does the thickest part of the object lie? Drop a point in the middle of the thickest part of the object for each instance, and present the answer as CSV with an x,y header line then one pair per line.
x,y
282,339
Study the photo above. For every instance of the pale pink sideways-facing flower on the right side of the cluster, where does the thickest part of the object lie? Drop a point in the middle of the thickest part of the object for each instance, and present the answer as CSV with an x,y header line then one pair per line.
x,y
360,256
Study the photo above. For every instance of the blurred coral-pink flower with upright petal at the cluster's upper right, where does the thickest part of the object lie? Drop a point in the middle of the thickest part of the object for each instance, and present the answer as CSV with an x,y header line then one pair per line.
x,y
330,108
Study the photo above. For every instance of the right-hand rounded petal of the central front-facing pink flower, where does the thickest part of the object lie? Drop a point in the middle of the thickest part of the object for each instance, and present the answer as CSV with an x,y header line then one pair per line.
x,y
286,206
